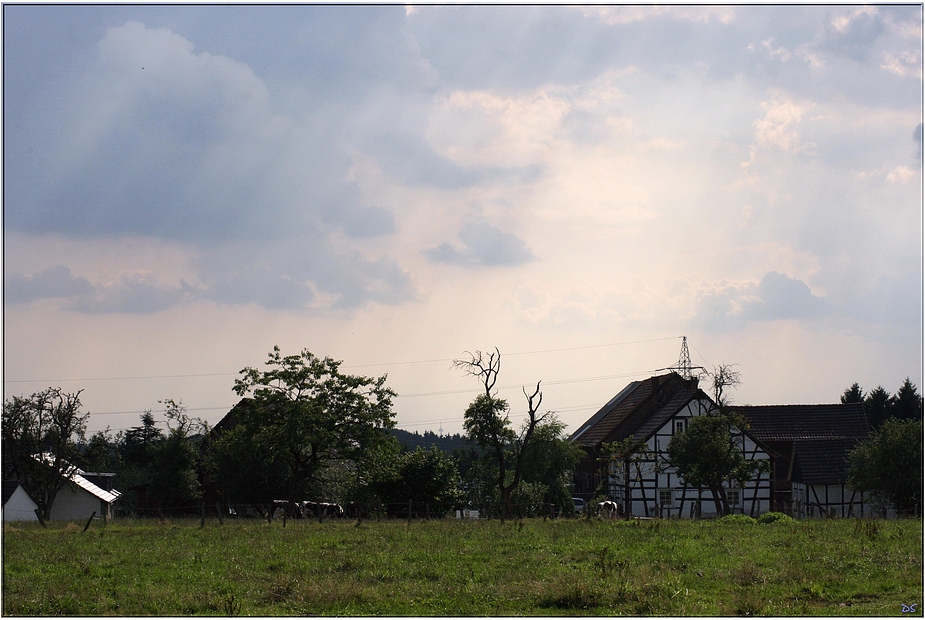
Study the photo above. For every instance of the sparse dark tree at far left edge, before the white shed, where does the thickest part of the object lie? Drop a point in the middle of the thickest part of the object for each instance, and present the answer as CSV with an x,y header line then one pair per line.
x,y
40,435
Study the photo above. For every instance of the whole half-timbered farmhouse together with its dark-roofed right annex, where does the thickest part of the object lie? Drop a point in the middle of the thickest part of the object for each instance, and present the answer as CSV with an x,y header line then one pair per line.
x,y
805,447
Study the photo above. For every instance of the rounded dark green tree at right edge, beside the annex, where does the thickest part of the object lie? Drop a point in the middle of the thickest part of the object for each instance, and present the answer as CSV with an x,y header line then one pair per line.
x,y
889,464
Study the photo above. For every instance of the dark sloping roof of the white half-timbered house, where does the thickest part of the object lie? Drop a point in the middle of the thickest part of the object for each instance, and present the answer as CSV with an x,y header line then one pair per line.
x,y
640,409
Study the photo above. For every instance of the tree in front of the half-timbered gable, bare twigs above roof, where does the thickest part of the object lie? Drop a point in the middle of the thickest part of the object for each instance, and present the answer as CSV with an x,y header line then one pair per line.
x,y
710,453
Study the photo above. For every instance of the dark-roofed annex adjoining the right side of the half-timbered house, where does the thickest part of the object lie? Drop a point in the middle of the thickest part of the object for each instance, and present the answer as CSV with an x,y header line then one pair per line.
x,y
809,447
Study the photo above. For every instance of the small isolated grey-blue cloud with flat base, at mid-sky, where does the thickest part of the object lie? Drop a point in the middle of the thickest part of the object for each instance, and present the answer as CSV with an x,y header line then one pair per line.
x,y
483,245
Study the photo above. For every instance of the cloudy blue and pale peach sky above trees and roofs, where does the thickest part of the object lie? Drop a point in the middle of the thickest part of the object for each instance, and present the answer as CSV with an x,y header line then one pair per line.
x,y
185,187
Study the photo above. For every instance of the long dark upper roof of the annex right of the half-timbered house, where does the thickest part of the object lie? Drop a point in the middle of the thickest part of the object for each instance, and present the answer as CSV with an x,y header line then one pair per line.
x,y
802,422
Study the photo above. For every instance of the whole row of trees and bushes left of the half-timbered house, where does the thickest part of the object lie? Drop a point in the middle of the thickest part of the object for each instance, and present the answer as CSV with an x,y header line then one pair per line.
x,y
303,430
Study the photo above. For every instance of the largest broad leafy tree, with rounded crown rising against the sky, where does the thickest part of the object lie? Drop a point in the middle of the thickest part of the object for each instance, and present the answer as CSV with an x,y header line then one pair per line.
x,y
305,414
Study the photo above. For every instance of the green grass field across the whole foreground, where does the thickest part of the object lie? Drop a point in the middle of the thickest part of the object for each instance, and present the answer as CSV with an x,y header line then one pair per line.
x,y
463,568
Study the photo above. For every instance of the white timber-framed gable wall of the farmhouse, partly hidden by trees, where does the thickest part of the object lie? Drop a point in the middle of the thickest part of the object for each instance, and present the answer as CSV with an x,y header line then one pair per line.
x,y
656,490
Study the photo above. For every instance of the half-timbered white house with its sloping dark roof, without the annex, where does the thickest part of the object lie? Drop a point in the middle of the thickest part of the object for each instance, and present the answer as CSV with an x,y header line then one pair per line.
x,y
646,485
